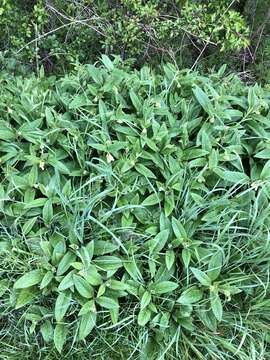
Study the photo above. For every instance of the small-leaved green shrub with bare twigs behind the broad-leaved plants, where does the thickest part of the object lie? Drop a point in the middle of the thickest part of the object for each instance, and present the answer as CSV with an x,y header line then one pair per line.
x,y
59,32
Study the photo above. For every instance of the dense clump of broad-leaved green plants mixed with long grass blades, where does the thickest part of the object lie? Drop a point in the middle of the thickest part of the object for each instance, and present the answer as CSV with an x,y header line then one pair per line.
x,y
136,200
